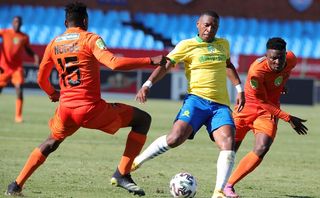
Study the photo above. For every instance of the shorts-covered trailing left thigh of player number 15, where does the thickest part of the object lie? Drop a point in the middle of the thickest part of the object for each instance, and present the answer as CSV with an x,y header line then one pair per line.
x,y
61,124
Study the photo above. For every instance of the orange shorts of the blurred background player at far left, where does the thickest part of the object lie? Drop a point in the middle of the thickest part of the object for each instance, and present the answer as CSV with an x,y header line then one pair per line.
x,y
16,76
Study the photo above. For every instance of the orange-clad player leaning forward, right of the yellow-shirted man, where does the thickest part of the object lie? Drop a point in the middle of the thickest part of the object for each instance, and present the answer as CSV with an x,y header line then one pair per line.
x,y
265,82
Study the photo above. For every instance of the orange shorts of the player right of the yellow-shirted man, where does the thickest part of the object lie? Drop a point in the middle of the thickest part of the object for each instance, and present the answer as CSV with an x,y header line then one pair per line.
x,y
257,120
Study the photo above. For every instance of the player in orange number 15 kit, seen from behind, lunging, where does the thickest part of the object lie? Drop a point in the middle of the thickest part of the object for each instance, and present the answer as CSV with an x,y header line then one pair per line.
x,y
77,55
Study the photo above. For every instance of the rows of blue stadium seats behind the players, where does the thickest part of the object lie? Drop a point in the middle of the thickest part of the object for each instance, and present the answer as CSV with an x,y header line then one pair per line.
x,y
160,30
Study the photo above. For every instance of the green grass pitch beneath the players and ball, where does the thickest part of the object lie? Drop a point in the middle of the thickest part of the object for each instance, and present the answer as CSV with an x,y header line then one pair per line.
x,y
84,163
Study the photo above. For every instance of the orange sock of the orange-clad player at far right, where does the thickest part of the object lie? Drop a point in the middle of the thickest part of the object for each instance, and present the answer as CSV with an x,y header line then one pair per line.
x,y
245,166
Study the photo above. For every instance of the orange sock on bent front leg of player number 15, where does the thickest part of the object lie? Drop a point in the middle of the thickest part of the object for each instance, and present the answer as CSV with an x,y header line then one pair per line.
x,y
134,145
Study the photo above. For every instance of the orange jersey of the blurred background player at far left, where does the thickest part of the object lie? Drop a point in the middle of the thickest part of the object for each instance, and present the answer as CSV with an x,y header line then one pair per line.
x,y
13,45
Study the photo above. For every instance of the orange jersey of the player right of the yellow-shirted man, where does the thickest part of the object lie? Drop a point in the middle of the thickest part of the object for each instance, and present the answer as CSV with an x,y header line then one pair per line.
x,y
264,86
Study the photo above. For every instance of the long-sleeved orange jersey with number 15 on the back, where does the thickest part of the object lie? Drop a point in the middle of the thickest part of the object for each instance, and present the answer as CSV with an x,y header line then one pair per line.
x,y
77,55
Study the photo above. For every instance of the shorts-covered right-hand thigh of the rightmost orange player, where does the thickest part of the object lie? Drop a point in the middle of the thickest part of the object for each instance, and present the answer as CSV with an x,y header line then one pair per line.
x,y
266,124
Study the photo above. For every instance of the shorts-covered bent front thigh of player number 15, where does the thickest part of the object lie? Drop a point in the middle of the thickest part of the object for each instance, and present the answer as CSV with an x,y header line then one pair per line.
x,y
109,117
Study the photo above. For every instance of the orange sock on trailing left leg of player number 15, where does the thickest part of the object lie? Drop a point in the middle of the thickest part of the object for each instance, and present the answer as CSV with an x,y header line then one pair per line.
x,y
36,158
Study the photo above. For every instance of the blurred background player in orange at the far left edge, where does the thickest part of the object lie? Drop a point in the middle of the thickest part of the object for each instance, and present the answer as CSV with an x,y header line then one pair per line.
x,y
11,51
